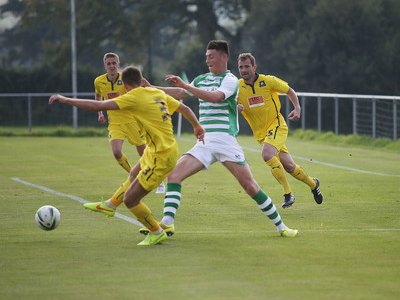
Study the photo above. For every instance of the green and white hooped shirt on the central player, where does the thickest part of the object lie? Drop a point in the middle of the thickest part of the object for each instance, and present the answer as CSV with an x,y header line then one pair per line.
x,y
221,116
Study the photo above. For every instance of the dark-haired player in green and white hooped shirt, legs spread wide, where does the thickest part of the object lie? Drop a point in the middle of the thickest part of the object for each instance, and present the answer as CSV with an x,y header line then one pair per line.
x,y
217,92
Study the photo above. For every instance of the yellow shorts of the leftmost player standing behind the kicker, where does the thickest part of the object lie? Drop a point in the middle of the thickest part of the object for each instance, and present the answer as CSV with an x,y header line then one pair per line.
x,y
130,131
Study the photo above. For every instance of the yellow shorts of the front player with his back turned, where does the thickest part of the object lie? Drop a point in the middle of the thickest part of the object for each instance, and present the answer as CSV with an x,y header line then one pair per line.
x,y
156,167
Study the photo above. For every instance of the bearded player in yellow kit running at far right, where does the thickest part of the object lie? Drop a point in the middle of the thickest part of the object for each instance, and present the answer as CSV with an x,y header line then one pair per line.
x,y
259,103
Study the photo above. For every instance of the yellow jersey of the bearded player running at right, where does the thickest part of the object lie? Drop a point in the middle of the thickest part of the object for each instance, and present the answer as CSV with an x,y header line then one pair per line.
x,y
261,103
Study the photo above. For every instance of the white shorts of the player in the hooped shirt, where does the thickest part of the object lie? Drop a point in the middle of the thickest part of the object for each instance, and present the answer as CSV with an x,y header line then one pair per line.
x,y
218,147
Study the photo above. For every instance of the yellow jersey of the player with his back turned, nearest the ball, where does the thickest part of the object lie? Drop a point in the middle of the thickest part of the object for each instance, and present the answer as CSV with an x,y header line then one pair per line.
x,y
152,109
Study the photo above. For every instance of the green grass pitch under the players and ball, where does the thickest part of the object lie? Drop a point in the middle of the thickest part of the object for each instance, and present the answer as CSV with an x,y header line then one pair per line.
x,y
224,247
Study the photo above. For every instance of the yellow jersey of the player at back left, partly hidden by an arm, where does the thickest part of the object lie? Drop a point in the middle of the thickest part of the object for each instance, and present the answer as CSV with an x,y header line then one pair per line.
x,y
109,90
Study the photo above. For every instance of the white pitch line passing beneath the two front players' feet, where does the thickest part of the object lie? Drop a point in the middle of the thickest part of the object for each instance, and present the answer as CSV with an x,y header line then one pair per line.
x,y
135,222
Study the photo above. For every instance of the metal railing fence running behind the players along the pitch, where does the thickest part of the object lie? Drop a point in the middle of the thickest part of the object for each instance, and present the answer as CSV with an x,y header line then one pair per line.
x,y
373,115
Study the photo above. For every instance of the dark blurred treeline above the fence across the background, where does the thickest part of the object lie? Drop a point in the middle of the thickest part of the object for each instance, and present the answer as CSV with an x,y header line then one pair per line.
x,y
338,46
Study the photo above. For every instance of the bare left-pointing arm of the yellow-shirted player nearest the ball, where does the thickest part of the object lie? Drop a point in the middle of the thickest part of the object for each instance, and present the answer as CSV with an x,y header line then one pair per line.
x,y
86,104
